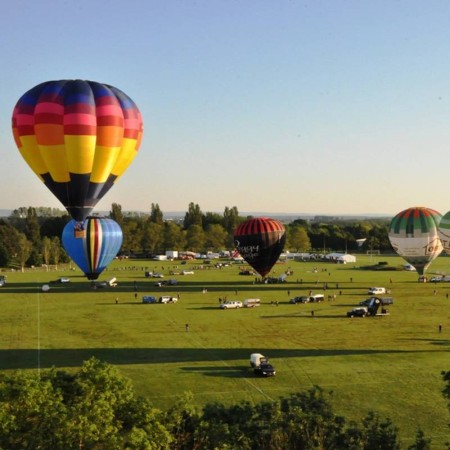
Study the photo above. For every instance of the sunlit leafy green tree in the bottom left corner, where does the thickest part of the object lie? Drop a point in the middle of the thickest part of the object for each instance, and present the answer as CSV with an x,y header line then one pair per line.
x,y
95,408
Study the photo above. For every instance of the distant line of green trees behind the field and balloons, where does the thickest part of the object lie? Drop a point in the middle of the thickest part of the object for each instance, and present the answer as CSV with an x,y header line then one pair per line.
x,y
32,236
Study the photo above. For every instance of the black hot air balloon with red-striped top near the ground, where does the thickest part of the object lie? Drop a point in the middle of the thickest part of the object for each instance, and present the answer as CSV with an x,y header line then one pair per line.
x,y
260,242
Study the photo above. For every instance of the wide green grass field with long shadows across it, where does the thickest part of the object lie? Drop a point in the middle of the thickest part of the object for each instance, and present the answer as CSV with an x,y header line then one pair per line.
x,y
389,364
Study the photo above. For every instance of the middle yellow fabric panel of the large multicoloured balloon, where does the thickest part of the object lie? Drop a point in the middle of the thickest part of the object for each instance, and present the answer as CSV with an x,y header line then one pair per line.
x,y
80,152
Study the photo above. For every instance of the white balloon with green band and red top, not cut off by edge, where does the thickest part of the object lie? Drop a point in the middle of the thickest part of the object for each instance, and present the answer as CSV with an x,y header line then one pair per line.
x,y
413,234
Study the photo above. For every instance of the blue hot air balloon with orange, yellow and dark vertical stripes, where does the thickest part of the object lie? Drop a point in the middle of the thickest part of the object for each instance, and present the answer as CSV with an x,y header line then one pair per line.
x,y
97,246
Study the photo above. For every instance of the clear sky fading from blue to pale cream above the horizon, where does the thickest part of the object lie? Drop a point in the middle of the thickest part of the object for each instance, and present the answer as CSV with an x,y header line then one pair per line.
x,y
319,107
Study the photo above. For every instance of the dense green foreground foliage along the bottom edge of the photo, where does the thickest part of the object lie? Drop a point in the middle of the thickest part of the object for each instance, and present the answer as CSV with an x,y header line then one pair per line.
x,y
97,408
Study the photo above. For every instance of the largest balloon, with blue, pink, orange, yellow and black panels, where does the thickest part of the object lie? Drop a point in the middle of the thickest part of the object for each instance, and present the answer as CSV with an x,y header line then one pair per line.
x,y
78,137
